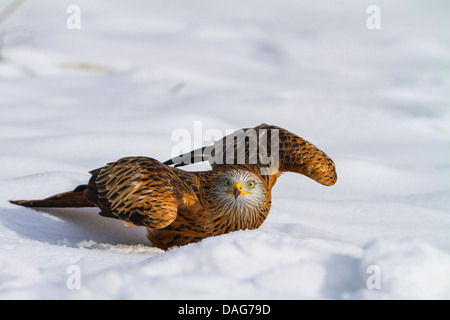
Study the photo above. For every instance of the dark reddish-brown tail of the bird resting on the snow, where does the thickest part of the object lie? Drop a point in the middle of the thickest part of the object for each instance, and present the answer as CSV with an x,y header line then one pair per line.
x,y
71,199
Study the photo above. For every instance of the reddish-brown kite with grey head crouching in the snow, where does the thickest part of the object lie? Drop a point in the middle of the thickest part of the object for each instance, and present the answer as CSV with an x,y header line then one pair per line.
x,y
179,207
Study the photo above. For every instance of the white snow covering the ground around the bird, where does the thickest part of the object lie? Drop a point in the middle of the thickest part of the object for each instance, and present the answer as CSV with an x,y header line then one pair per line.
x,y
376,101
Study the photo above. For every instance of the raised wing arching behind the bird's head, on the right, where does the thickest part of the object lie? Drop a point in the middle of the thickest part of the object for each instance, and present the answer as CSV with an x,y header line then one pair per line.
x,y
272,148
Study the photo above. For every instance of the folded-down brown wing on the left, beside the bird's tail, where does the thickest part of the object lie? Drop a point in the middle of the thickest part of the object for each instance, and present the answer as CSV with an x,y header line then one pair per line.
x,y
139,190
